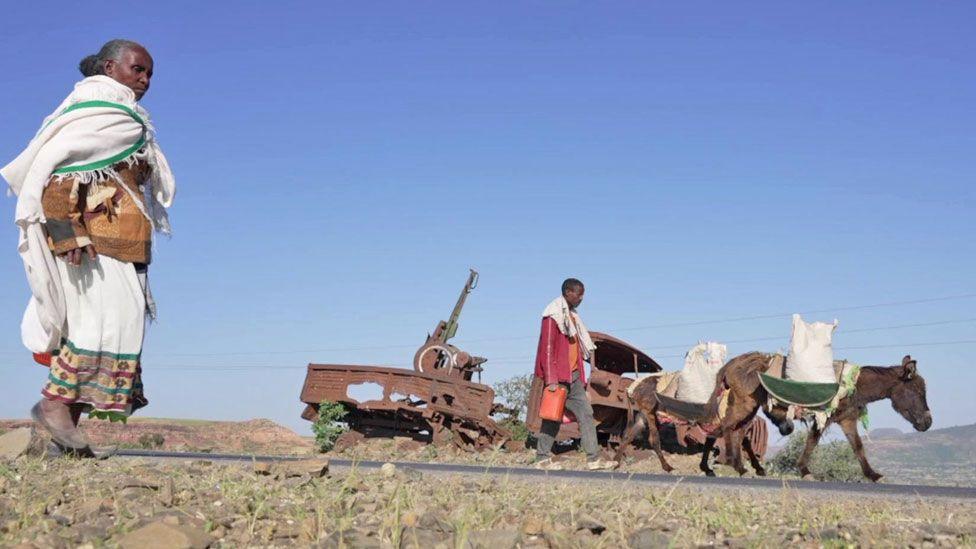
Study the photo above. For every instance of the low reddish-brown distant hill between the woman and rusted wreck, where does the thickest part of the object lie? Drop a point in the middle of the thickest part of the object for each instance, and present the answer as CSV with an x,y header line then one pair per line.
x,y
256,436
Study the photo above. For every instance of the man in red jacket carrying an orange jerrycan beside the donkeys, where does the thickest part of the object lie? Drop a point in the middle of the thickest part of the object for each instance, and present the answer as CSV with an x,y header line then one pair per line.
x,y
564,345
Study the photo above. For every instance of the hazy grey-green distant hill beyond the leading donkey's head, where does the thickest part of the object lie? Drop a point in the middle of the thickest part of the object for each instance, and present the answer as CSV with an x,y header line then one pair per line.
x,y
942,456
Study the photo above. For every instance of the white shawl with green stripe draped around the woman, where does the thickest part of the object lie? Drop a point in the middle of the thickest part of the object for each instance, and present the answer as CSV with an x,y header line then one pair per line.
x,y
97,126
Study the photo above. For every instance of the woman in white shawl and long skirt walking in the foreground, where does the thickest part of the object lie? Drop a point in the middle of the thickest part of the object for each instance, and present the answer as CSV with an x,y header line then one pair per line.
x,y
91,188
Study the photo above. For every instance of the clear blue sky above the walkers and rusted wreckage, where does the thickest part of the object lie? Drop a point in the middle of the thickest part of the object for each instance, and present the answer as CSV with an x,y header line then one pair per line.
x,y
340,166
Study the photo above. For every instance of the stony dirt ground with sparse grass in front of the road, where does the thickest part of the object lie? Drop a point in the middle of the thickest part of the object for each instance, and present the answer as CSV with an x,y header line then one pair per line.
x,y
127,503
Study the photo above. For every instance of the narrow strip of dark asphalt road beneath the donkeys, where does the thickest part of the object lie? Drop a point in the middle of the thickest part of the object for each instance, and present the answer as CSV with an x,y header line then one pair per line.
x,y
703,482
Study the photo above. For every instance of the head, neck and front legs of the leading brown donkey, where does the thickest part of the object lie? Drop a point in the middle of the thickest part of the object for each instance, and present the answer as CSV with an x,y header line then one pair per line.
x,y
902,384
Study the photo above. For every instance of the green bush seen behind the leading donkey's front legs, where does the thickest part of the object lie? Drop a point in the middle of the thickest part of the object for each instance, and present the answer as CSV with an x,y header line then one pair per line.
x,y
830,461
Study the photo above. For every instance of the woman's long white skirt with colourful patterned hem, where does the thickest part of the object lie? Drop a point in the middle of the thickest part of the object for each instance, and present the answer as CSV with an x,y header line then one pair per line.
x,y
98,363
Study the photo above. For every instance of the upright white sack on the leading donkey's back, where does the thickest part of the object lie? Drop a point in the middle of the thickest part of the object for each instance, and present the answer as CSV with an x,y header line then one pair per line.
x,y
811,356
